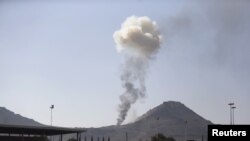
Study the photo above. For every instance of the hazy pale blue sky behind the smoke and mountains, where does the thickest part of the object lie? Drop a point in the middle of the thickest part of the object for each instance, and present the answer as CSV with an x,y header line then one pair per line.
x,y
63,53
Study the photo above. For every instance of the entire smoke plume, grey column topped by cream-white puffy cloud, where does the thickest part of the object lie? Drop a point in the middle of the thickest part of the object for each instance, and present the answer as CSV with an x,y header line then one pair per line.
x,y
138,40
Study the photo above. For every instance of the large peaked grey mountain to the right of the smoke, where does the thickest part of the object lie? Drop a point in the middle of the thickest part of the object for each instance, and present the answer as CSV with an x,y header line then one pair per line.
x,y
171,118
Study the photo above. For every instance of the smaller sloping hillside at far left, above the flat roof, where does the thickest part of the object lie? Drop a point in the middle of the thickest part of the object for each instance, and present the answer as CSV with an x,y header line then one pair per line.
x,y
9,117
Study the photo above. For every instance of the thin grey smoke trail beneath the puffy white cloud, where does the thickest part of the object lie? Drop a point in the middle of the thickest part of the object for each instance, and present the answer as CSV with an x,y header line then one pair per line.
x,y
132,77
